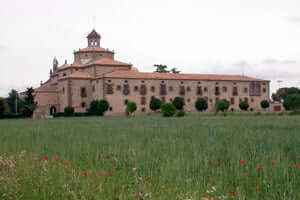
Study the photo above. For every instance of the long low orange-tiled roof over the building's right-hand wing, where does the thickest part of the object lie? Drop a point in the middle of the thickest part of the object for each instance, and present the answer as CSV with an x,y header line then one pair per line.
x,y
165,76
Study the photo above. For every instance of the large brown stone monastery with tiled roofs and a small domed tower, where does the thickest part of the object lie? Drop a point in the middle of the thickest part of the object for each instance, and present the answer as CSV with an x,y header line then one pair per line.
x,y
95,74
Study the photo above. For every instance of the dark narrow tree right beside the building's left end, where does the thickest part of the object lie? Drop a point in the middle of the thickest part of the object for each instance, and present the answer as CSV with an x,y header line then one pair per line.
x,y
29,103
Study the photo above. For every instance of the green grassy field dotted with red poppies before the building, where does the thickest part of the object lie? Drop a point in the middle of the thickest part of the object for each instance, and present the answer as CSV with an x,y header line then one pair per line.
x,y
194,157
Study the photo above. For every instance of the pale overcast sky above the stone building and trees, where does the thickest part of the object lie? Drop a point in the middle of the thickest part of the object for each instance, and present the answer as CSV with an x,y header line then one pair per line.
x,y
259,38
